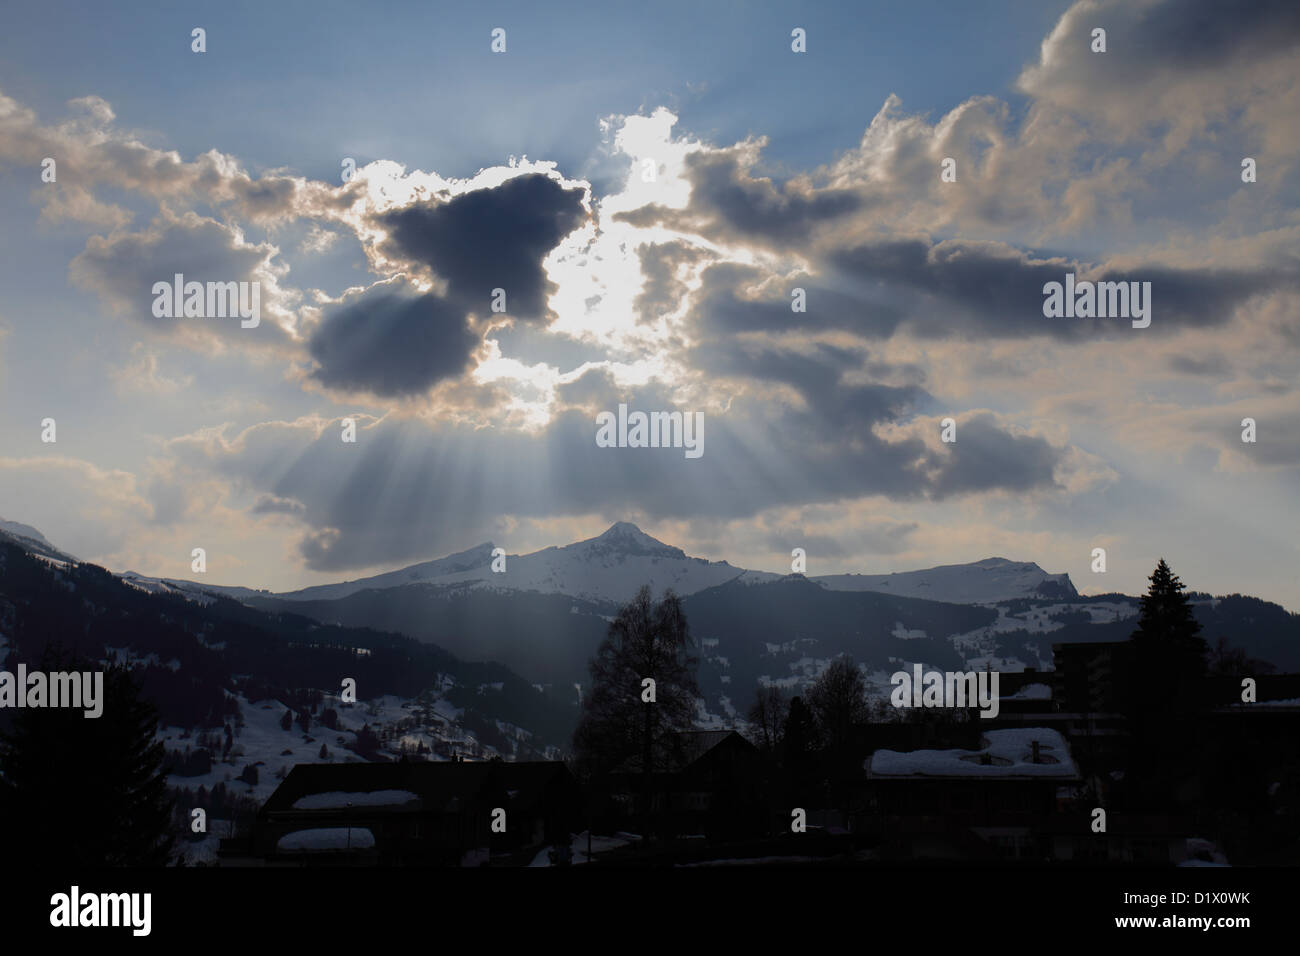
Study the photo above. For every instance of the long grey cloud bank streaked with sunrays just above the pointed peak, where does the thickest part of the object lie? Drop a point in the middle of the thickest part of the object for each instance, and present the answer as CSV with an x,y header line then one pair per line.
x,y
410,488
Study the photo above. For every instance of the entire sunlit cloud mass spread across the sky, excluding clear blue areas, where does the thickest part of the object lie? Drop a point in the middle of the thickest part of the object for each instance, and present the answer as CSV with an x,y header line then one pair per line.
x,y
924,301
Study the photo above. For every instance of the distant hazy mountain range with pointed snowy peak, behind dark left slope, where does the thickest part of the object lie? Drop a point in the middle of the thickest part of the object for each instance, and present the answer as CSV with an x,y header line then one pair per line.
x,y
543,615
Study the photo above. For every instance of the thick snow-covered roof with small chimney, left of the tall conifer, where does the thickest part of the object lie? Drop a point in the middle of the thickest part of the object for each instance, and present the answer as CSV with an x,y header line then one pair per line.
x,y
1006,754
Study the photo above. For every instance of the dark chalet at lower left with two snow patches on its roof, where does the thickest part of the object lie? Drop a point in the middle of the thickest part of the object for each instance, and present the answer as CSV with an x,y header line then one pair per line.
x,y
413,814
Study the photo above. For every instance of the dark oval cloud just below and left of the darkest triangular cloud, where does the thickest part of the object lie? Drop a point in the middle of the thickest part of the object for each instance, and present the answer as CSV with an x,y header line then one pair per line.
x,y
393,341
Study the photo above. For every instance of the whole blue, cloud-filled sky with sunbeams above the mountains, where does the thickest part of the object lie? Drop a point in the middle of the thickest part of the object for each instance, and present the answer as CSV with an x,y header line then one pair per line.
x,y
649,188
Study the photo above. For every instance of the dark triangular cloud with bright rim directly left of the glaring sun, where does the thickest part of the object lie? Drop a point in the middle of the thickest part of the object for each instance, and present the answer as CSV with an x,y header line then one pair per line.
x,y
489,239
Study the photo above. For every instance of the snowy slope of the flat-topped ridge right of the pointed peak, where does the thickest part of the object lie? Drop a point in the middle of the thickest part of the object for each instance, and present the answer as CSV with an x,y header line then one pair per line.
x,y
985,582
